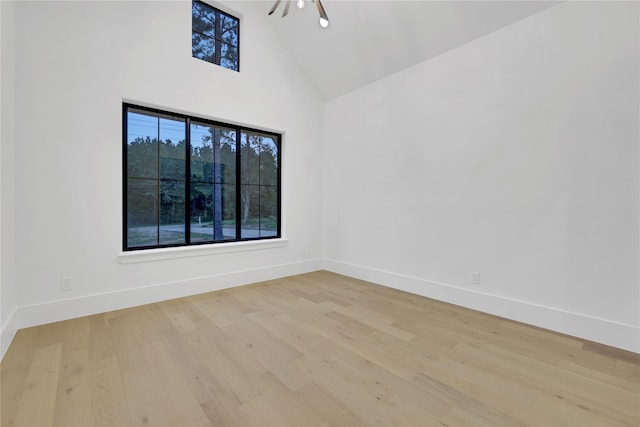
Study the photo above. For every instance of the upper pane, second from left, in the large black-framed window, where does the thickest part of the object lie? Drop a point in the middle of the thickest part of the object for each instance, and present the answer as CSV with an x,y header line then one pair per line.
x,y
172,148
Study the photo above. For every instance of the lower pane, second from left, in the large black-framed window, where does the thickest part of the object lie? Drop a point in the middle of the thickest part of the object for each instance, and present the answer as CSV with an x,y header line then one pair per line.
x,y
172,227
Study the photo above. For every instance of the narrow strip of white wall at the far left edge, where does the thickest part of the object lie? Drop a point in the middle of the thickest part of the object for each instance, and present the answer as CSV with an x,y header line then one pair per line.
x,y
7,169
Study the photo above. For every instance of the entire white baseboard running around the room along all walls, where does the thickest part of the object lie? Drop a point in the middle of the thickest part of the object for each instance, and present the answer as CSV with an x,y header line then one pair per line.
x,y
586,327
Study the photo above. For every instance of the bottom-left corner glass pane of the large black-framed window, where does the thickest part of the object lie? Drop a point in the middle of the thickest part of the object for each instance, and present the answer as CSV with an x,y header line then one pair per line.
x,y
142,212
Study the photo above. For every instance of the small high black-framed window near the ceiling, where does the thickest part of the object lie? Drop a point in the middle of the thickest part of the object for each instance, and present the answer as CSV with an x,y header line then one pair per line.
x,y
215,36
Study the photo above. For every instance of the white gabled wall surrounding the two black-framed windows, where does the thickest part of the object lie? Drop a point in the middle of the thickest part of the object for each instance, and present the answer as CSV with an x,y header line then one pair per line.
x,y
75,63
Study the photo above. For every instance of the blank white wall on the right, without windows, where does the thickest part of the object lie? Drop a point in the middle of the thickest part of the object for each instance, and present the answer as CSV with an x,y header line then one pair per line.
x,y
515,156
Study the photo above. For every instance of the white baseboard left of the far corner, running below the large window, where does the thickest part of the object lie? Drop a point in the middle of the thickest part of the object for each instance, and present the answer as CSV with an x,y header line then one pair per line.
x,y
54,311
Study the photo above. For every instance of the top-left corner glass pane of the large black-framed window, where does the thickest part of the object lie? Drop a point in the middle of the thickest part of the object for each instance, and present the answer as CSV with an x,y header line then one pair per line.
x,y
142,145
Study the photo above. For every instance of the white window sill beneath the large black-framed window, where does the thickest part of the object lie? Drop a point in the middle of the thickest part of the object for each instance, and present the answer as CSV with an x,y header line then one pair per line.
x,y
149,255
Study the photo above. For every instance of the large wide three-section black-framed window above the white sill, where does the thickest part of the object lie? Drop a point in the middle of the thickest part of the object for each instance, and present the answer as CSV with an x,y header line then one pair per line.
x,y
189,180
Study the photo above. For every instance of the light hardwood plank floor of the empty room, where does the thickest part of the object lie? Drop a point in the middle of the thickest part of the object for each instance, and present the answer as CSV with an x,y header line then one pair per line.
x,y
316,349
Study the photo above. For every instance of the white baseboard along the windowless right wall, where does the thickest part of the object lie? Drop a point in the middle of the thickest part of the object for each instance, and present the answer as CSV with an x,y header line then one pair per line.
x,y
603,331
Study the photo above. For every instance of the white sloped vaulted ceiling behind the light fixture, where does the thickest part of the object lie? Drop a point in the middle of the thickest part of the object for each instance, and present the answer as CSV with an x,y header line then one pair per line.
x,y
369,40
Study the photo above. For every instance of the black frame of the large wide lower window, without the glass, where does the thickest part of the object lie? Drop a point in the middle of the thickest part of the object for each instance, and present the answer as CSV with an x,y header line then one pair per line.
x,y
188,118
